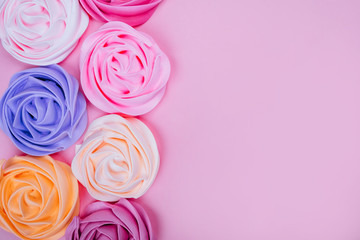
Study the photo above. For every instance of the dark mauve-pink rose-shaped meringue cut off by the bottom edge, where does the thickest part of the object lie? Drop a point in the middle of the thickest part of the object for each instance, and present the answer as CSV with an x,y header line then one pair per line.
x,y
123,220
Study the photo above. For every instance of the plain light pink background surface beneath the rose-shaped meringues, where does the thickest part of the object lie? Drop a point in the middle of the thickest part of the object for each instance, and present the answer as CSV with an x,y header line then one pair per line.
x,y
259,130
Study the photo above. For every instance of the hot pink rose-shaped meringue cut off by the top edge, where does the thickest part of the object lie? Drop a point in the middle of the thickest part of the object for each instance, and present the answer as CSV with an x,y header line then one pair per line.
x,y
133,12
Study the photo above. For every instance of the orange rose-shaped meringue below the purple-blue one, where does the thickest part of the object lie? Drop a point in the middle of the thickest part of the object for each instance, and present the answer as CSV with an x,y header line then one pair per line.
x,y
38,197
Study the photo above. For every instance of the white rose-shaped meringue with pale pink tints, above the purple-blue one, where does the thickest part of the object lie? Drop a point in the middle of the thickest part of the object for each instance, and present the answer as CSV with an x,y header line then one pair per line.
x,y
41,32
